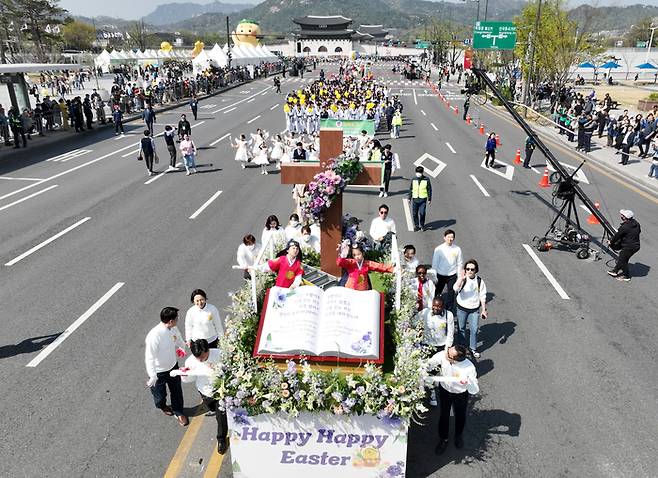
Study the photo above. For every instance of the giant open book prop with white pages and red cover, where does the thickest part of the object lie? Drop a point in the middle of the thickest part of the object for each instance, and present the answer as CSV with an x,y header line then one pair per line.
x,y
338,324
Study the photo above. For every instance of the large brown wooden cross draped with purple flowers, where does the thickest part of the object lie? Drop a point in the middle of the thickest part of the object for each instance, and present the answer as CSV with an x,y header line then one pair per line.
x,y
331,226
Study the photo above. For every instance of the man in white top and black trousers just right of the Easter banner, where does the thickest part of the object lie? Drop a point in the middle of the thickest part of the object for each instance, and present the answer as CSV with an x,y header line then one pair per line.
x,y
457,380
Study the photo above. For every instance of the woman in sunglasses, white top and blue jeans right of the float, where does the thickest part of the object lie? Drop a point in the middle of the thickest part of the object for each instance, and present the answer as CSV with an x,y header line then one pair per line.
x,y
471,303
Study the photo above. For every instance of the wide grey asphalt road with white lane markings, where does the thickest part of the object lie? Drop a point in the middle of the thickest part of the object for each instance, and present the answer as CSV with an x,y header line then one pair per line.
x,y
567,387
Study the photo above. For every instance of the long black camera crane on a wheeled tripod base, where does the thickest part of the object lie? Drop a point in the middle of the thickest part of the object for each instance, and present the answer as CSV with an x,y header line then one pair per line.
x,y
566,187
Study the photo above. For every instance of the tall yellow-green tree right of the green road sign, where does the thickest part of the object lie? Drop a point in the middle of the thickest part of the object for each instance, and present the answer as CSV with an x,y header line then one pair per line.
x,y
560,43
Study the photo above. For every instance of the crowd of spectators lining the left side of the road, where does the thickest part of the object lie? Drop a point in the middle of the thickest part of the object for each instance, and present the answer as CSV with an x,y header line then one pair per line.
x,y
133,89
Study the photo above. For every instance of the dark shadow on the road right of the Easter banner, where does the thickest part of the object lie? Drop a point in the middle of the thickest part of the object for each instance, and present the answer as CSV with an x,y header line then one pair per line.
x,y
480,439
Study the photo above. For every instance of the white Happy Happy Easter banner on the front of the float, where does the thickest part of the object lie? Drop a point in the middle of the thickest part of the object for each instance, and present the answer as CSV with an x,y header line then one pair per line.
x,y
318,445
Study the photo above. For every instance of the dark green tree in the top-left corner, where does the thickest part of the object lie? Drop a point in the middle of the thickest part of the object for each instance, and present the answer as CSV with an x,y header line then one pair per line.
x,y
36,15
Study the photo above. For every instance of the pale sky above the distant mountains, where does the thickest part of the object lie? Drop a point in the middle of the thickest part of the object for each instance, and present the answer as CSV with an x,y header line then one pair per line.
x,y
133,10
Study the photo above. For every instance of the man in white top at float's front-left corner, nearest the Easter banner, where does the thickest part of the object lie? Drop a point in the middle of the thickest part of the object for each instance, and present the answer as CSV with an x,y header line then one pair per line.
x,y
199,369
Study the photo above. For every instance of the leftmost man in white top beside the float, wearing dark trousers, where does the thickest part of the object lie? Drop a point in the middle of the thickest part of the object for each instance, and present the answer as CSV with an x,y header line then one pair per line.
x,y
164,344
